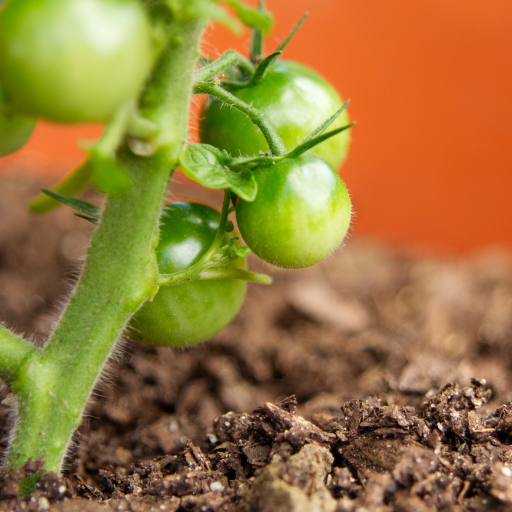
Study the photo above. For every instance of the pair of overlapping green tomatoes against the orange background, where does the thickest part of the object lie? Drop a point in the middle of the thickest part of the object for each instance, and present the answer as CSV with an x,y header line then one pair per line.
x,y
302,210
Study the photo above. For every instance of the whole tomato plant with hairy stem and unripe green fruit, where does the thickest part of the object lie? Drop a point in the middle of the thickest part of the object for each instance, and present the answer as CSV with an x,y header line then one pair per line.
x,y
179,278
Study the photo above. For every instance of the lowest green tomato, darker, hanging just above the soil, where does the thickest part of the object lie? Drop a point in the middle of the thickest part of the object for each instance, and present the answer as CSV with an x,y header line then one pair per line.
x,y
192,312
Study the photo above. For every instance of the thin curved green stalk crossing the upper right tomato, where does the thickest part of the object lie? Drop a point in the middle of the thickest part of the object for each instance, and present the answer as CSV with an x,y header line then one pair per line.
x,y
274,142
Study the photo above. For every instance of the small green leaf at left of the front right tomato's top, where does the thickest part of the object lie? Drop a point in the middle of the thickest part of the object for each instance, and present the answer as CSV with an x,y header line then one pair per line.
x,y
206,165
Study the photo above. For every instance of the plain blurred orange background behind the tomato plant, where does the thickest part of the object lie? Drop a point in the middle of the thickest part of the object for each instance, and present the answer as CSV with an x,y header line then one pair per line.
x,y
431,90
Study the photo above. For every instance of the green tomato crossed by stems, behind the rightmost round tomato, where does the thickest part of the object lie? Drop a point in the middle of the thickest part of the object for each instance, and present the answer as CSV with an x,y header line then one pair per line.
x,y
295,100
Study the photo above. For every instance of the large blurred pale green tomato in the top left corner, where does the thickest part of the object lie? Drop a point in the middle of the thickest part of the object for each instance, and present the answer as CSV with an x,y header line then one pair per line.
x,y
73,60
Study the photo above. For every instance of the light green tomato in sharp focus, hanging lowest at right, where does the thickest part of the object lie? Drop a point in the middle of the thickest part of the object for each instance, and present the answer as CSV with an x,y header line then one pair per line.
x,y
300,215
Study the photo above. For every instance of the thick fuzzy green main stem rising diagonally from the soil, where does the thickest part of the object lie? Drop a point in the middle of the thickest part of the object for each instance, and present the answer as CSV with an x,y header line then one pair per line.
x,y
119,274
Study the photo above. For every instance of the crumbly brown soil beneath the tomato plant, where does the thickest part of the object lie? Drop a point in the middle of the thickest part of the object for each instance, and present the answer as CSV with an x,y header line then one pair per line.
x,y
376,381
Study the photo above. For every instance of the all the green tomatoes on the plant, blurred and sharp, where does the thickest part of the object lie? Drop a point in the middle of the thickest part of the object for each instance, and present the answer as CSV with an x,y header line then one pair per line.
x,y
83,60
